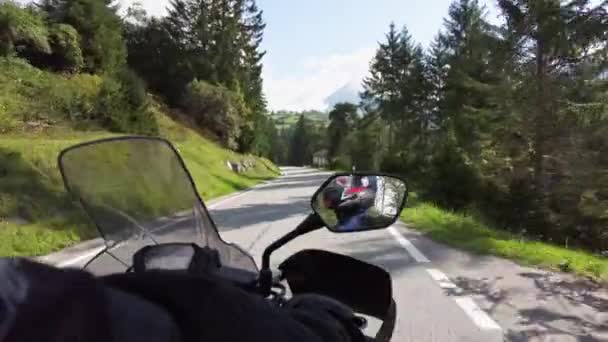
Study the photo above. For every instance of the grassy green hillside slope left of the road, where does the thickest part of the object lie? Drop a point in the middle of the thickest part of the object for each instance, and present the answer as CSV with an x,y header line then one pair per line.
x,y
36,215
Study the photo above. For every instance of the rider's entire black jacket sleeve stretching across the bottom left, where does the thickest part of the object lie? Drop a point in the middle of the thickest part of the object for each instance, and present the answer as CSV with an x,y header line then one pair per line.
x,y
42,303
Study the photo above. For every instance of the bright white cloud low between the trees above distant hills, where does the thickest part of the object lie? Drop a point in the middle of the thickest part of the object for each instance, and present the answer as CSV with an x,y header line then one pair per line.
x,y
321,77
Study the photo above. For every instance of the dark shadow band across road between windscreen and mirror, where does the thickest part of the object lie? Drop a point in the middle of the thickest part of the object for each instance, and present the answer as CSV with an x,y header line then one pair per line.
x,y
247,215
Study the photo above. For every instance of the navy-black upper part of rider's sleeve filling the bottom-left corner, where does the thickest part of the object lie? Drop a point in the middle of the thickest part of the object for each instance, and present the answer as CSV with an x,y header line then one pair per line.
x,y
42,303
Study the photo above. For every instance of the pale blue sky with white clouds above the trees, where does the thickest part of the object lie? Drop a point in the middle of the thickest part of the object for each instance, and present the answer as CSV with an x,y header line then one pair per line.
x,y
318,51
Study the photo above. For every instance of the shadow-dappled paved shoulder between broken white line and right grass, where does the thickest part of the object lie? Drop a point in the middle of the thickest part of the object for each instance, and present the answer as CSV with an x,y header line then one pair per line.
x,y
530,304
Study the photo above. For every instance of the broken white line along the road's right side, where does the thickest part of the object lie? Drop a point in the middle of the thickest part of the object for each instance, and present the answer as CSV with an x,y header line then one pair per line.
x,y
467,304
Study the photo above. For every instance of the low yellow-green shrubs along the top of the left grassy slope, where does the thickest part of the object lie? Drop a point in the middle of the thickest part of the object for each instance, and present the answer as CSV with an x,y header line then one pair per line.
x,y
28,94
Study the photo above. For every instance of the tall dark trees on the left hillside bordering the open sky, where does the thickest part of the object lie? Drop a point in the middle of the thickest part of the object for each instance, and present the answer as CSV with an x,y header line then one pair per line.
x,y
215,41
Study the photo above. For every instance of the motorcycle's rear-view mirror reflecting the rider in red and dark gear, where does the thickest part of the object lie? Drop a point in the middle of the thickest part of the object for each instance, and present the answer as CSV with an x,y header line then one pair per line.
x,y
359,202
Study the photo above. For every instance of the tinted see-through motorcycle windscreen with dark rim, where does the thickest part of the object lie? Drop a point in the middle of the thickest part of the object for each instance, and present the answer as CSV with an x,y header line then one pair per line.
x,y
138,193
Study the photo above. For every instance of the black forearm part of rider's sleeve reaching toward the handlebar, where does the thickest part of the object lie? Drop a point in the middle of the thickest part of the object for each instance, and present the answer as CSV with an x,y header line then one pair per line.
x,y
210,310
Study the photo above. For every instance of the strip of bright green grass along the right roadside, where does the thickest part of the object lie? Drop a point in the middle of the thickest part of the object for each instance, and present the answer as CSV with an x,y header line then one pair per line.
x,y
468,233
